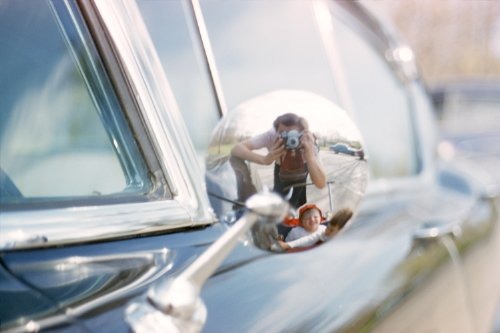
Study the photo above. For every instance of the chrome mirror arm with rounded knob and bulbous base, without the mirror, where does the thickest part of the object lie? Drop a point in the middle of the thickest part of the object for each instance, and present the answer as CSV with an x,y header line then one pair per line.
x,y
173,304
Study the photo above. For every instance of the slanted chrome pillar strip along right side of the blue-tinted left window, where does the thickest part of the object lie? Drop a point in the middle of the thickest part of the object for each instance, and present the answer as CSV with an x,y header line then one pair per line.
x,y
157,103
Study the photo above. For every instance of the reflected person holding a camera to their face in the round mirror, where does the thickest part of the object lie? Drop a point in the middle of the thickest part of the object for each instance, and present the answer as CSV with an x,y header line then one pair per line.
x,y
291,146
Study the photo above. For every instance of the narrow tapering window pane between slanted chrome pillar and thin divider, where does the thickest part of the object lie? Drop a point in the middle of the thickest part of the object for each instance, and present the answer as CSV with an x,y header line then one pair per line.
x,y
181,56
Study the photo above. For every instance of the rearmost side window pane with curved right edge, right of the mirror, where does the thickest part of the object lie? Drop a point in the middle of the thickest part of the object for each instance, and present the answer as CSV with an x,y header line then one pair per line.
x,y
381,105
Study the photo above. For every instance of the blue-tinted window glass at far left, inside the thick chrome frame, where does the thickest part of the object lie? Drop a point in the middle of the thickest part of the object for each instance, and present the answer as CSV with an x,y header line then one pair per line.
x,y
62,132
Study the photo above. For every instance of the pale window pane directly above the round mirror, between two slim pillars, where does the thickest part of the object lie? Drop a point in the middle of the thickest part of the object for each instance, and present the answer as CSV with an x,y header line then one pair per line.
x,y
261,46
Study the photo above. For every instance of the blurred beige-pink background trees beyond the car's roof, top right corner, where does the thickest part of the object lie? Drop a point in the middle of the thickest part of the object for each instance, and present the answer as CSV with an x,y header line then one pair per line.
x,y
451,39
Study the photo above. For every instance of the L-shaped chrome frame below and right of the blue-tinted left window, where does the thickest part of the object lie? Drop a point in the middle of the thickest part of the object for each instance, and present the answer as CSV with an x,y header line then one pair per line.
x,y
136,71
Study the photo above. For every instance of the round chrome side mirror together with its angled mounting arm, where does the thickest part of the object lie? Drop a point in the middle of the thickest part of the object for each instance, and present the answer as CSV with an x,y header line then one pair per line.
x,y
240,196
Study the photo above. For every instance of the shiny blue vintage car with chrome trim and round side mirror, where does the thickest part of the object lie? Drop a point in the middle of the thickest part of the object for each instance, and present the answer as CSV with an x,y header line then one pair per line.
x,y
124,207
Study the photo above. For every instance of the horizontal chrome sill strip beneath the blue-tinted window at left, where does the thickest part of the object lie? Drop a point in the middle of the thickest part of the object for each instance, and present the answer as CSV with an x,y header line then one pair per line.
x,y
82,224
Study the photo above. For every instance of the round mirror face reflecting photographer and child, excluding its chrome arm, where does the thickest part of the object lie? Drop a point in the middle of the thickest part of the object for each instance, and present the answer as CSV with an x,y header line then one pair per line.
x,y
295,143
